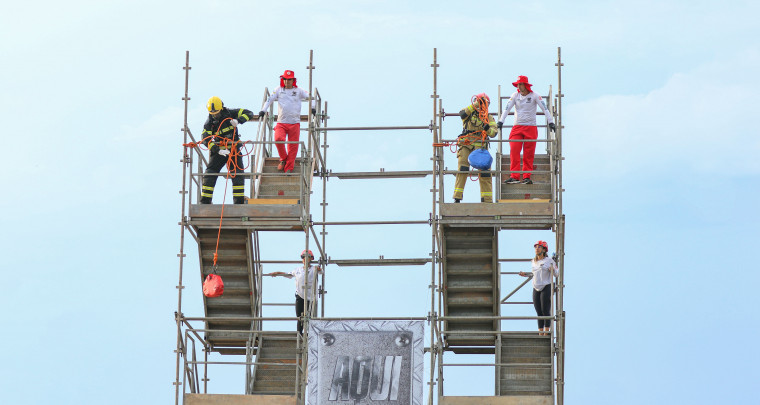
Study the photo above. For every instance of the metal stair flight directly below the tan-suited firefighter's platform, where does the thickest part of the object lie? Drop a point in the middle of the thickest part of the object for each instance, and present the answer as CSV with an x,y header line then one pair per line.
x,y
470,287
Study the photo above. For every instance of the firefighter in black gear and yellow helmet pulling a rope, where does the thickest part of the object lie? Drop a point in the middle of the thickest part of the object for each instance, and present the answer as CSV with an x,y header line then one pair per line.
x,y
221,136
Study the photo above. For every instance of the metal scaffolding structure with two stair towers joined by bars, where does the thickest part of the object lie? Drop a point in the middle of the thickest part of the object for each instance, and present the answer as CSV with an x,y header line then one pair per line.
x,y
466,277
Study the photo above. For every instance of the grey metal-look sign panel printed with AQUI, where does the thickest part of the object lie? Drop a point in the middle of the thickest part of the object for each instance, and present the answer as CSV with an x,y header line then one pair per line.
x,y
365,362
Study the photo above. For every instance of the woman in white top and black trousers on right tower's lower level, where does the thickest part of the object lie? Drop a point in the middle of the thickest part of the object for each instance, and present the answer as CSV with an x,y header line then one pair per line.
x,y
543,269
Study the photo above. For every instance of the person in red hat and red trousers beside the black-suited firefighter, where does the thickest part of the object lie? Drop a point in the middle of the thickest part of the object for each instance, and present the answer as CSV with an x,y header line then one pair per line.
x,y
289,98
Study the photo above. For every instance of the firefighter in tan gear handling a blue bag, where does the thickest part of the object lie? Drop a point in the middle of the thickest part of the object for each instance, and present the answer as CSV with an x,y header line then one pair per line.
x,y
477,127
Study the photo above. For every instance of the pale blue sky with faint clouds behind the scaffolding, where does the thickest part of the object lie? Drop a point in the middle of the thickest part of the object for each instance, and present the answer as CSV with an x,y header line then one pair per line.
x,y
661,178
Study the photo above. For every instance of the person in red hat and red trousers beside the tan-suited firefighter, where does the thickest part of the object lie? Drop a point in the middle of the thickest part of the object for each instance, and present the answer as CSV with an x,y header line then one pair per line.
x,y
525,102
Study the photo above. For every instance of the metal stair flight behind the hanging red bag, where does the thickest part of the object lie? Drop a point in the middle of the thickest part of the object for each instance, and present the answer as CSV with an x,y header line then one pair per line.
x,y
234,265
